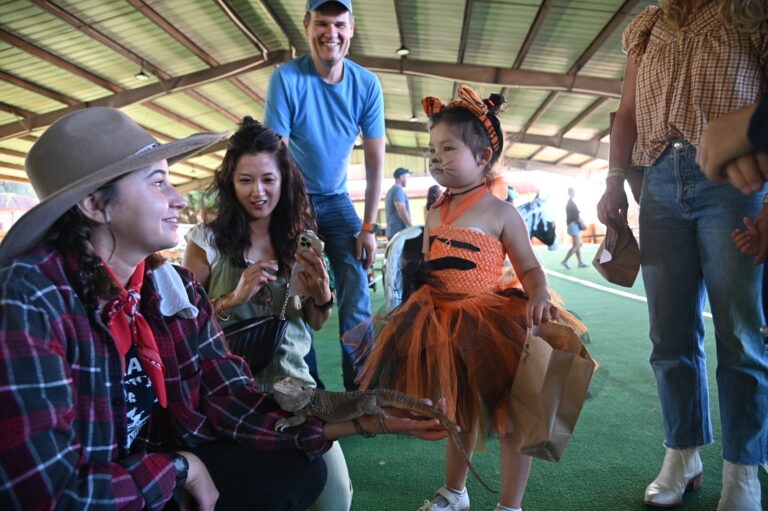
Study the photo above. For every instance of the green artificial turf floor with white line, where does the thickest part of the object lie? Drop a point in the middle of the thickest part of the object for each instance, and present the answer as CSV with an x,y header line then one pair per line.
x,y
616,449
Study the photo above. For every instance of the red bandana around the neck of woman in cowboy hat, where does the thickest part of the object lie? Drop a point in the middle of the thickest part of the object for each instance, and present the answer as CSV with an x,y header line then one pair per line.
x,y
129,327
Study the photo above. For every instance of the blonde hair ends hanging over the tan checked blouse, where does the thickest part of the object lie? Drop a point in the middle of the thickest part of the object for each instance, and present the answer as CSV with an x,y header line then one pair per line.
x,y
746,15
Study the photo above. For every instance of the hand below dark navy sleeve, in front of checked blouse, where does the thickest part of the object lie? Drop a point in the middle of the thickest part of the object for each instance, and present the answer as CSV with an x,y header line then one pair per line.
x,y
725,139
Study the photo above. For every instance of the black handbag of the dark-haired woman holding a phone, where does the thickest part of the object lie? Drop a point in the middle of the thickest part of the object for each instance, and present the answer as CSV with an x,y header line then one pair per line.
x,y
257,339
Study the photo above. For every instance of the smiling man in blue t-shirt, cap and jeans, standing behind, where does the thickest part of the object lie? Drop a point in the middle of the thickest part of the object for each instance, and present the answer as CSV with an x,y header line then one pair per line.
x,y
319,103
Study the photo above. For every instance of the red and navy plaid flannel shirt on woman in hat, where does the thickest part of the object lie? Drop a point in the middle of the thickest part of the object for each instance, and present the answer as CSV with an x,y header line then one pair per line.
x,y
62,409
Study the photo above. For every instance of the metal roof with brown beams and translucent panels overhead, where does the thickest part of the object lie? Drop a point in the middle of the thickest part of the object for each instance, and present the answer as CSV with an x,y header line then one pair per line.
x,y
183,66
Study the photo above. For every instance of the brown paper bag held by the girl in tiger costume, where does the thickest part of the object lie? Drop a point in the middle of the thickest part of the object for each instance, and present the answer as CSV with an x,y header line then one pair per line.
x,y
549,390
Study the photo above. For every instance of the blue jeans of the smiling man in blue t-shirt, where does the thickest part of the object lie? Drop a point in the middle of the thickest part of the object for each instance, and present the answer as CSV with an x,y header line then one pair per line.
x,y
338,224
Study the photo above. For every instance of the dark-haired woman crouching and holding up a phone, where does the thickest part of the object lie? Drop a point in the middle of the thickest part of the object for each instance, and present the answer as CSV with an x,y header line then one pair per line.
x,y
245,255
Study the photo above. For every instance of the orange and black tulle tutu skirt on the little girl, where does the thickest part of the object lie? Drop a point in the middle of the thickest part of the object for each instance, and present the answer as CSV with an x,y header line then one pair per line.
x,y
458,347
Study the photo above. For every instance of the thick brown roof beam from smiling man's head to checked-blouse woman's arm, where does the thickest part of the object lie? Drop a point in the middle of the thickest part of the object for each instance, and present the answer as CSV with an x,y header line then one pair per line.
x,y
494,76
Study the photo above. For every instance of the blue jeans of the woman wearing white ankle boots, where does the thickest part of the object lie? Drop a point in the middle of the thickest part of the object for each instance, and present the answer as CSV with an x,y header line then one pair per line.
x,y
687,254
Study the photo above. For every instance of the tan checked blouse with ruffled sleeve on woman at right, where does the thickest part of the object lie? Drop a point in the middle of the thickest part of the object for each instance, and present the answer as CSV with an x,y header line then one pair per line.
x,y
687,78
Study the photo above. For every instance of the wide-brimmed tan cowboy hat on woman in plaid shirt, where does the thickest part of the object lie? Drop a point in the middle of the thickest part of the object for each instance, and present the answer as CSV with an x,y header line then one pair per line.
x,y
76,156
